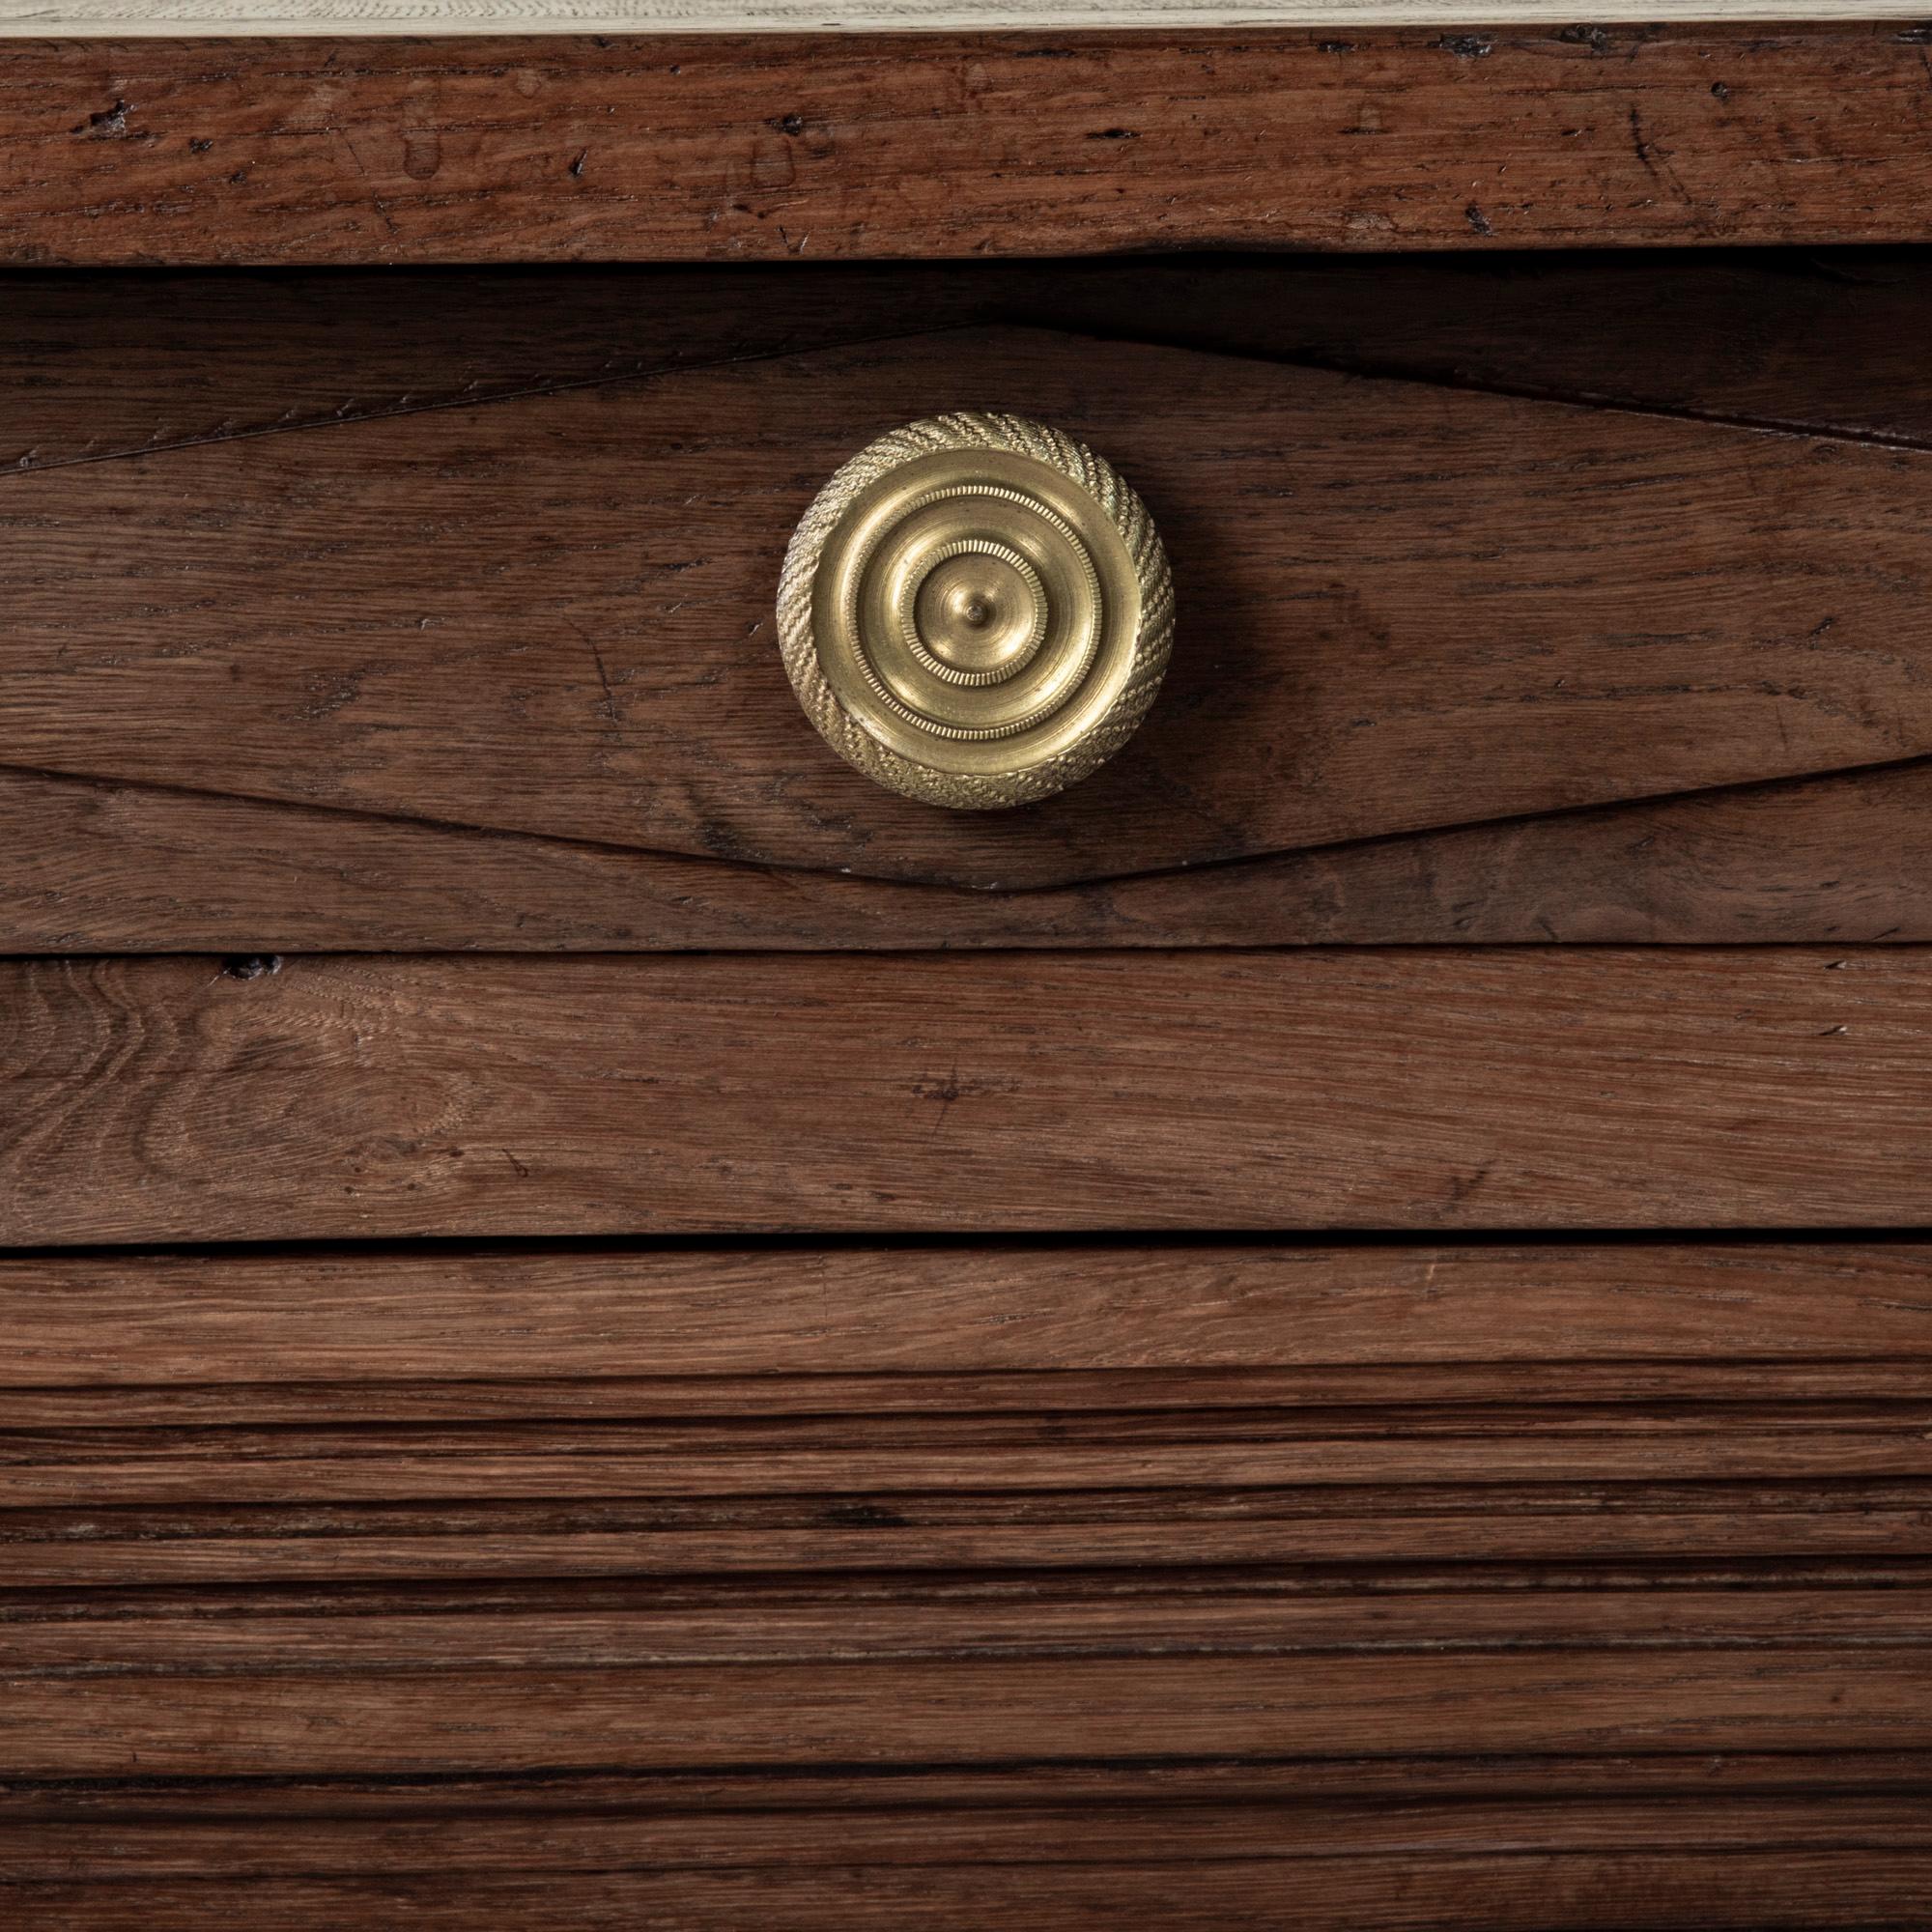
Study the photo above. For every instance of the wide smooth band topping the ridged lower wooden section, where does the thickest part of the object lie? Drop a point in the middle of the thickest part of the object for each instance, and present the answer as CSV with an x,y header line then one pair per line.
x,y
123,1324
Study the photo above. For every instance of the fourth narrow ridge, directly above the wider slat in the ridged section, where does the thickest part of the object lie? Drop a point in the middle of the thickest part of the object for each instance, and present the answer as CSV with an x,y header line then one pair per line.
x,y
198,1641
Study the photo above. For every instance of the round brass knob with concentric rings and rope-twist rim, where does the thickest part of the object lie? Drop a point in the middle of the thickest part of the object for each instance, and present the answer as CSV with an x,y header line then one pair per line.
x,y
977,611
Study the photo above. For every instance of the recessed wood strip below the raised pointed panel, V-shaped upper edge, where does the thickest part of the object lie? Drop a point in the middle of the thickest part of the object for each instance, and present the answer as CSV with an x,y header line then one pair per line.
x,y
128,868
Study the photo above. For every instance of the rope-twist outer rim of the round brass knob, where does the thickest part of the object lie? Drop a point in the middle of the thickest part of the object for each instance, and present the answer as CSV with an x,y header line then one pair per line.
x,y
1118,501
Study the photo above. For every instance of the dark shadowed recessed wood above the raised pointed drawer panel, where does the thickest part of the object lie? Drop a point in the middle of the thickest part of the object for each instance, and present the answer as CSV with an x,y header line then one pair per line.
x,y
204,356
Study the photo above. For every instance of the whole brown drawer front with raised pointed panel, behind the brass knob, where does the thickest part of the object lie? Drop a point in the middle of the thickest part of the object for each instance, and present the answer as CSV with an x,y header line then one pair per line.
x,y
496,664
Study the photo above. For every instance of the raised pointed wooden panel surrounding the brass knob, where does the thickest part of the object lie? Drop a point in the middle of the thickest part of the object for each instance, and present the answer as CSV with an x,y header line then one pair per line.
x,y
1402,606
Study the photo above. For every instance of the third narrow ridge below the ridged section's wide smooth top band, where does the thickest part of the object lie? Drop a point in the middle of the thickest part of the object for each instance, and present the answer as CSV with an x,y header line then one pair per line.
x,y
1875,1533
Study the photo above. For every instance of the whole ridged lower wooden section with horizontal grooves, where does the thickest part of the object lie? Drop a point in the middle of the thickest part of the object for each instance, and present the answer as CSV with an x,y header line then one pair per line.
x,y
1514,1676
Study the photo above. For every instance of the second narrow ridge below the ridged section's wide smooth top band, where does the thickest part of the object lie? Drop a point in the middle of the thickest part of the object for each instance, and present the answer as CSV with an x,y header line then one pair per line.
x,y
942,1456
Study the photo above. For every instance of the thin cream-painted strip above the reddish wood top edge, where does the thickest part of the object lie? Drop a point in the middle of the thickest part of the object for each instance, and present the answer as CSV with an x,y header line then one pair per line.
x,y
185,18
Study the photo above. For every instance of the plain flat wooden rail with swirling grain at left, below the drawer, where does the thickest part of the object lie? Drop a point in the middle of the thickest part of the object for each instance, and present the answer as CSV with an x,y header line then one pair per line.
x,y
1015,1093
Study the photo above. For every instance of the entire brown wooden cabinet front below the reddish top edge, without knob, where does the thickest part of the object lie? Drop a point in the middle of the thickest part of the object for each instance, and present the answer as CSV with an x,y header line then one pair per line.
x,y
606,1321
